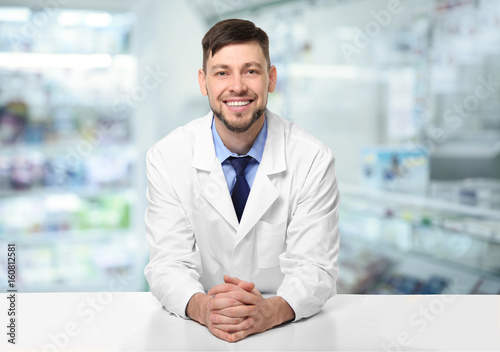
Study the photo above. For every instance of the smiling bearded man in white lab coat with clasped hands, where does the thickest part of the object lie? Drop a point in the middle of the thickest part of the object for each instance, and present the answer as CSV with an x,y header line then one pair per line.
x,y
244,196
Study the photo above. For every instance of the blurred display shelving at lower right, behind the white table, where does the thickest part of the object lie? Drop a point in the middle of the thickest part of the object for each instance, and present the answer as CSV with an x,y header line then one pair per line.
x,y
413,244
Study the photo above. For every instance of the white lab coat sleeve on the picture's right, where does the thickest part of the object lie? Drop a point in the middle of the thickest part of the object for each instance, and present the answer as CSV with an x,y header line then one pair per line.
x,y
309,263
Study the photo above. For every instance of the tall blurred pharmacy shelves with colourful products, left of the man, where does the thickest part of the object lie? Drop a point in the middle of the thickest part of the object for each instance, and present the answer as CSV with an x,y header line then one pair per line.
x,y
68,160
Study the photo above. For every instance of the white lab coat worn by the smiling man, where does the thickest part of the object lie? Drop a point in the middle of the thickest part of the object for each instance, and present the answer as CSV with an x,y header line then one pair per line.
x,y
287,242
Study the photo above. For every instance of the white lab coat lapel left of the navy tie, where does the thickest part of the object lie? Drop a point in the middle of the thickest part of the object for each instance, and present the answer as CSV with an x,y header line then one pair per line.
x,y
213,185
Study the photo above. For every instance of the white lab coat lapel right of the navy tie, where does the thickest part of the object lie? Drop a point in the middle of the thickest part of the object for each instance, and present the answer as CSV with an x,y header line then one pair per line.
x,y
263,193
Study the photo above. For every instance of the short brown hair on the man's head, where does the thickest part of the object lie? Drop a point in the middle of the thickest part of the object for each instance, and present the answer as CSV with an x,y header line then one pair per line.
x,y
233,31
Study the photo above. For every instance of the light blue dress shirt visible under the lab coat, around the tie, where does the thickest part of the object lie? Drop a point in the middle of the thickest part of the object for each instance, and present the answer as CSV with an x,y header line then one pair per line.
x,y
255,152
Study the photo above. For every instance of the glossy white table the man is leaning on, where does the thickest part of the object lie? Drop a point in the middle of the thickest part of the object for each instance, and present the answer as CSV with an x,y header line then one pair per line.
x,y
51,322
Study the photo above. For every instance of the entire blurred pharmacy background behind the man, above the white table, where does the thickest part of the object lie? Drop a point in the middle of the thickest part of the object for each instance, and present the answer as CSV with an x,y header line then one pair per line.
x,y
406,94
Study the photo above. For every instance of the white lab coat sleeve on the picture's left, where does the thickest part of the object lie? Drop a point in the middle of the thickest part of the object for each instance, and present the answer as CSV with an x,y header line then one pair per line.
x,y
175,263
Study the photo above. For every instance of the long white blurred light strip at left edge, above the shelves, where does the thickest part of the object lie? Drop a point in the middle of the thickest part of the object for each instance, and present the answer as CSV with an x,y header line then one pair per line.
x,y
22,60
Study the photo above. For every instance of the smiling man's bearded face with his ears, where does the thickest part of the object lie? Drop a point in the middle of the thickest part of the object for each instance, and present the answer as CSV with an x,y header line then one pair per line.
x,y
237,82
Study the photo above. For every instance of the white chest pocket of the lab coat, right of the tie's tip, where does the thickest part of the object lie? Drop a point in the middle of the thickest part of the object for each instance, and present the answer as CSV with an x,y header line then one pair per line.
x,y
270,243
